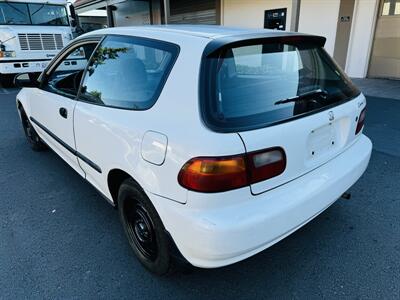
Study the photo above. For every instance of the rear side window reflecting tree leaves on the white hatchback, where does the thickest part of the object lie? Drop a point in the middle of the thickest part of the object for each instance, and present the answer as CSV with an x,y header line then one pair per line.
x,y
128,72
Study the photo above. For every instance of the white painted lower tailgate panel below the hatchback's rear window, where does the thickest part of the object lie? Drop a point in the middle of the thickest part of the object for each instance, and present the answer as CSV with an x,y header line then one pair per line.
x,y
308,142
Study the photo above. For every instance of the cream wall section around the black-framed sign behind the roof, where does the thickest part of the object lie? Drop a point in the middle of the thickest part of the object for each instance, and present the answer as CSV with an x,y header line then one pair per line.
x,y
250,13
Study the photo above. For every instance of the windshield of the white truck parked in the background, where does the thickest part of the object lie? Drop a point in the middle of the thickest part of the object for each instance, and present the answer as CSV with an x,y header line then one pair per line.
x,y
12,13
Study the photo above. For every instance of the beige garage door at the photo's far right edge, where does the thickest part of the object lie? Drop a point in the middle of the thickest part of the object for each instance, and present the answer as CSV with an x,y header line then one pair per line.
x,y
385,59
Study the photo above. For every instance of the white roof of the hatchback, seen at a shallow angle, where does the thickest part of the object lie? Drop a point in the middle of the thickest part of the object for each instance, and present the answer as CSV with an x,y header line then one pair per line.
x,y
204,31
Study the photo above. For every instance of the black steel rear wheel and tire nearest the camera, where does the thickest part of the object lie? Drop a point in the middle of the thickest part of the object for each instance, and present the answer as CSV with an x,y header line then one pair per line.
x,y
144,228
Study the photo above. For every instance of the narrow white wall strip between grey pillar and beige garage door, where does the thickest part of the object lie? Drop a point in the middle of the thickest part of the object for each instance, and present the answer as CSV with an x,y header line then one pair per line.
x,y
361,37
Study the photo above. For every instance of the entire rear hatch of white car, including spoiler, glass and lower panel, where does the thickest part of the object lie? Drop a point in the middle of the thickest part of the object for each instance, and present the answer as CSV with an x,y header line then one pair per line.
x,y
283,91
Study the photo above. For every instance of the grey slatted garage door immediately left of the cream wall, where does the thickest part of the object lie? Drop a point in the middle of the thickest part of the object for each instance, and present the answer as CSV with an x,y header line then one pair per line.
x,y
192,12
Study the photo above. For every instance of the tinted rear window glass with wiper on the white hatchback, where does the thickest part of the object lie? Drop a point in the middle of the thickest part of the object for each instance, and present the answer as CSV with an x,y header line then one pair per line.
x,y
256,85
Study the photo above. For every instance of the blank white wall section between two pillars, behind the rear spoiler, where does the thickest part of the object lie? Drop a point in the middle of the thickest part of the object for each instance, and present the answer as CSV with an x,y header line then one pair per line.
x,y
320,18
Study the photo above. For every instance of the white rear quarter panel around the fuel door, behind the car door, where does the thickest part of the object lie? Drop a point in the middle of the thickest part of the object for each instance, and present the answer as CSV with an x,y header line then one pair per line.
x,y
112,137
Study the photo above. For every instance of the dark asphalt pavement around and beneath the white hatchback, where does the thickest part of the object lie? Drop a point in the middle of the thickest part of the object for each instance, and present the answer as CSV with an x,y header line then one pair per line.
x,y
60,239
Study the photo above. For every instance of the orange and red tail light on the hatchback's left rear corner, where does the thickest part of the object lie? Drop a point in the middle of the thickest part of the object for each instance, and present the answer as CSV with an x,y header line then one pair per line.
x,y
219,174
